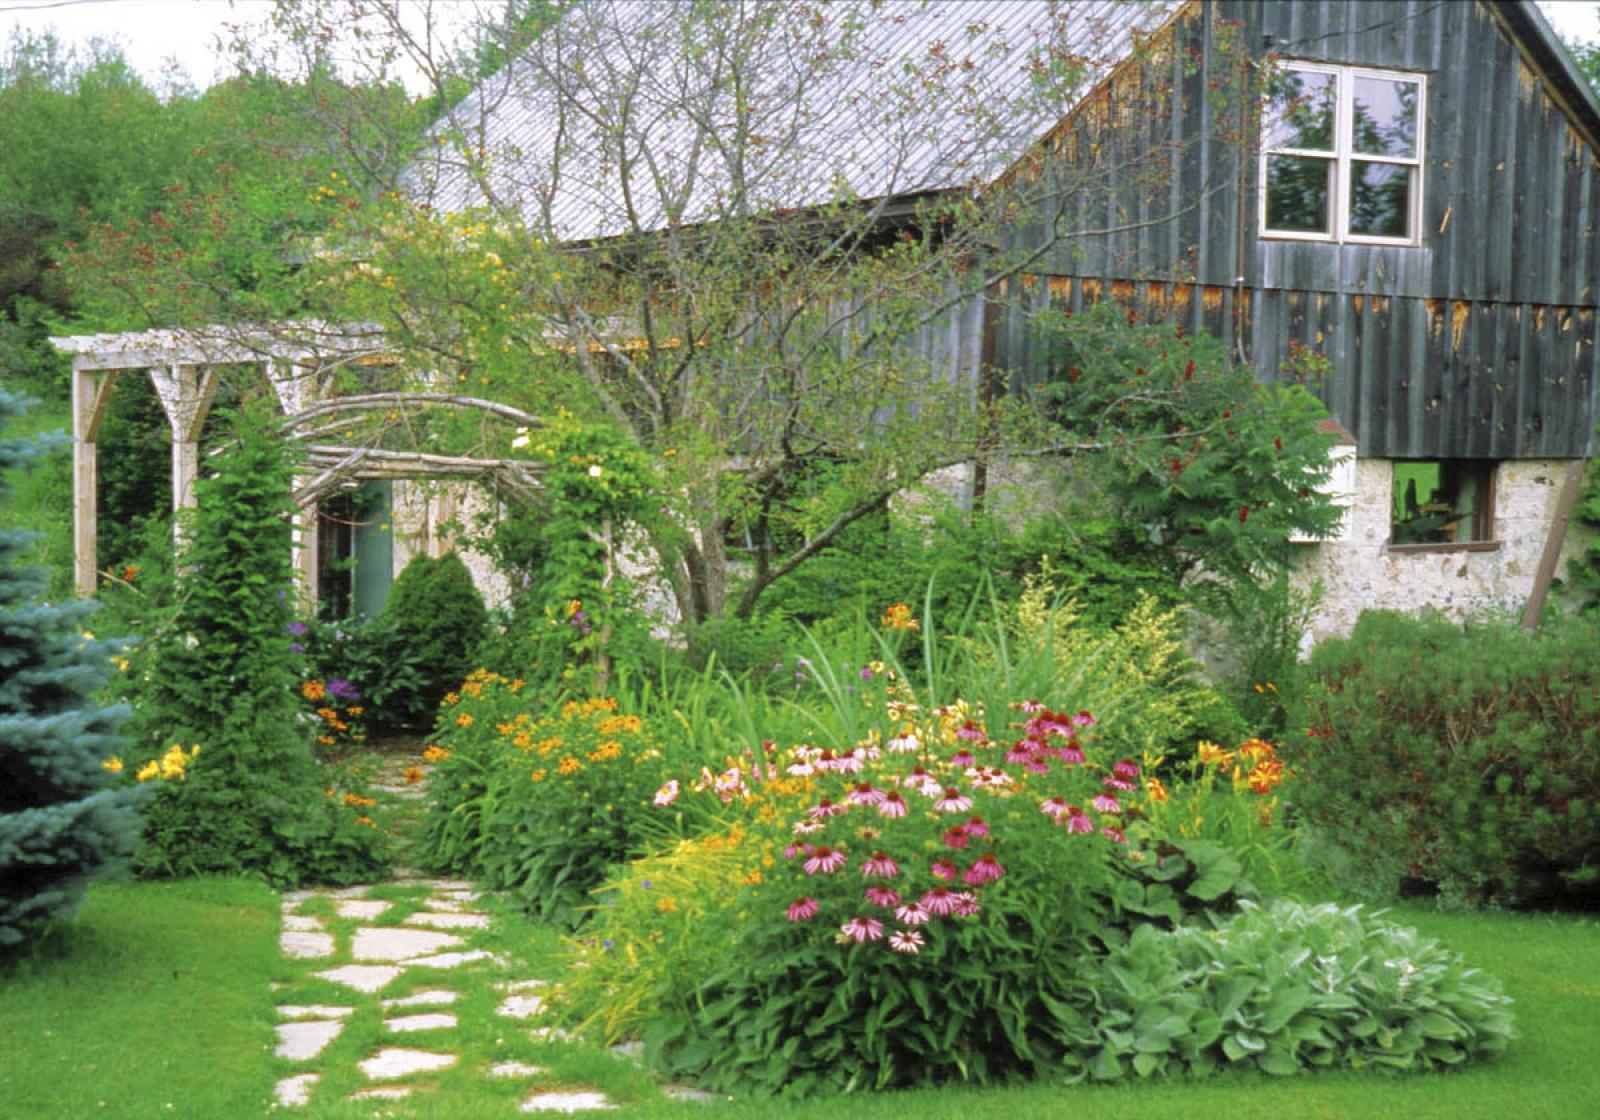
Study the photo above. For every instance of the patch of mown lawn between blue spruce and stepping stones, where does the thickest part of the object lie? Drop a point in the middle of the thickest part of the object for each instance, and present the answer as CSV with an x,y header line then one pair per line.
x,y
153,1004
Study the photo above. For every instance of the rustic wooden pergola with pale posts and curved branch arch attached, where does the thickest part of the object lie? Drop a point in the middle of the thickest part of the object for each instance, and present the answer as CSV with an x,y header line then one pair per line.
x,y
303,364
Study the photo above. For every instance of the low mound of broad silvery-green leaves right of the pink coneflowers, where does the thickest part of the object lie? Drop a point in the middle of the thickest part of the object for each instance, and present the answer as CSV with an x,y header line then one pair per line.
x,y
1286,988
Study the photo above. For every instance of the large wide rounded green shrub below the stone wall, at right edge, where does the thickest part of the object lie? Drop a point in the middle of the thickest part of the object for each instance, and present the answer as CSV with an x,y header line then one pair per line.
x,y
1463,756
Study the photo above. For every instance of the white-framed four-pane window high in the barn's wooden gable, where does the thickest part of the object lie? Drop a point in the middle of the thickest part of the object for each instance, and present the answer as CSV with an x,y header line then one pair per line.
x,y
1342,154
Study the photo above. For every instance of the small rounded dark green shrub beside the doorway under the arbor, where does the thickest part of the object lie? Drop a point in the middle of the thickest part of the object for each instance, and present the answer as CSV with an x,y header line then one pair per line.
x,y
438,617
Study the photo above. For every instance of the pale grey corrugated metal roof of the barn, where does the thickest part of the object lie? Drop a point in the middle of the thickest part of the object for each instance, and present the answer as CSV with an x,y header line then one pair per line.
x,y
783,106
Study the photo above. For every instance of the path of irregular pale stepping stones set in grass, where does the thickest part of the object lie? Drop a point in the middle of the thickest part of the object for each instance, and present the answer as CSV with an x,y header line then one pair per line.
x,y
402,958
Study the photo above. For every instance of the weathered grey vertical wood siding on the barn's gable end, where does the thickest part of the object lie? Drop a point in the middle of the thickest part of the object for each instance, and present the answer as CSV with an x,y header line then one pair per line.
x,y
1479,343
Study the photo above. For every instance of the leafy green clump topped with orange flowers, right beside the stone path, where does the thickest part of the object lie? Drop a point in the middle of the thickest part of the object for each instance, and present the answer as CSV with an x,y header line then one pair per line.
x,y
542,806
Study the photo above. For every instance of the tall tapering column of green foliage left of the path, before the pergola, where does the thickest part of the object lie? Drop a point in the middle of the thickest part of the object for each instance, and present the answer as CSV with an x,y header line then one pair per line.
x,y
222,679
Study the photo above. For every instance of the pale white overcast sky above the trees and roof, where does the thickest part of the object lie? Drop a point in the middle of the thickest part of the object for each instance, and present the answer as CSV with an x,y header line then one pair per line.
x,y
156,33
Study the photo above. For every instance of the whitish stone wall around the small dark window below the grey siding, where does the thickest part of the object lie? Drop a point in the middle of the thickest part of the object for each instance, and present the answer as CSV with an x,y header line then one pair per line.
x,y
1362,572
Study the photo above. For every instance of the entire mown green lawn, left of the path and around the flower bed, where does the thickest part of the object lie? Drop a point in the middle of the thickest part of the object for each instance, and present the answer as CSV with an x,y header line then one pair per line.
x,y
158,1004
